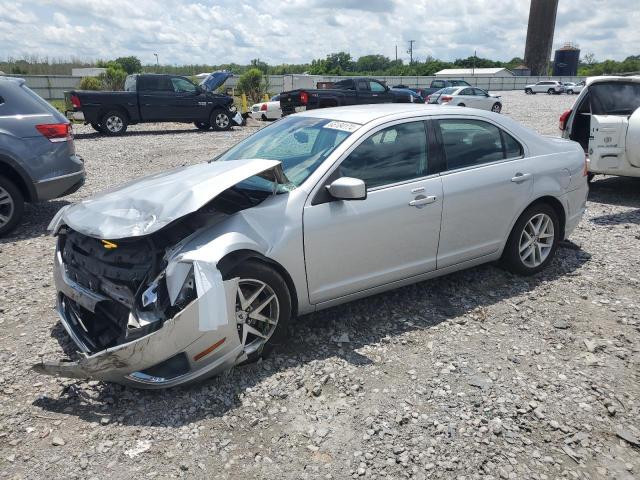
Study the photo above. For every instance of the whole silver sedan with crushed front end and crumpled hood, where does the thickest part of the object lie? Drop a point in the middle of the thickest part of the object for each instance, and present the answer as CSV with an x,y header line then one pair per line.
x,y
184,274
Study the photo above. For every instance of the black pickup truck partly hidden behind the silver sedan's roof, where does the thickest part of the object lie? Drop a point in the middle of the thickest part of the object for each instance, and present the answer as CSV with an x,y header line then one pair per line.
x,y
351,91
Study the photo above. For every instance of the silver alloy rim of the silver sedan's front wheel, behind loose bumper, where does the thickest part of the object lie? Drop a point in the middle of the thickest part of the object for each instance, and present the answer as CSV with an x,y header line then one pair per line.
x,y
257,313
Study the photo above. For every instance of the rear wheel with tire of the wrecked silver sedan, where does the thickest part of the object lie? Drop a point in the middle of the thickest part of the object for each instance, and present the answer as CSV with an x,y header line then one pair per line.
x,y
529,260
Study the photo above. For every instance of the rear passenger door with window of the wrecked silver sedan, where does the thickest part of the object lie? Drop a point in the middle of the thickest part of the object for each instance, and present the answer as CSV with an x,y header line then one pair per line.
x,y
488,181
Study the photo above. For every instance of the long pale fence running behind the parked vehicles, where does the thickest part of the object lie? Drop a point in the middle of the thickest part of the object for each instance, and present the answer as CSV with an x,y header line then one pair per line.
x,y
52,87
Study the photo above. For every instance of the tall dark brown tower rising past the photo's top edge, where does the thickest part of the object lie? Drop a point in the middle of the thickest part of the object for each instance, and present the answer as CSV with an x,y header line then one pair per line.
x,y
542,23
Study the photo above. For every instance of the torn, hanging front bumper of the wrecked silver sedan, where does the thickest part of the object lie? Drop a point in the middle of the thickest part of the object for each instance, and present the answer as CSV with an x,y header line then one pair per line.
x,y
199,341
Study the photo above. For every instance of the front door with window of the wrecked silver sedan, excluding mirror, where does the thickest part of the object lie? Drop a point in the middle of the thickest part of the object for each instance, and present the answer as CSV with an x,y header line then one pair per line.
x,y
354,245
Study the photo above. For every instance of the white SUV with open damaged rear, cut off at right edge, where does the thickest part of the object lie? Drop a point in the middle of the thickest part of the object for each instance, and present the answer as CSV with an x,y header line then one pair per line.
x,y
605,120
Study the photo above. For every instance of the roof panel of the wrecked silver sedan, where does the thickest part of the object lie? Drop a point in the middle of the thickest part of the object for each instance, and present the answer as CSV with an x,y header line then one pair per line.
x,y
362,114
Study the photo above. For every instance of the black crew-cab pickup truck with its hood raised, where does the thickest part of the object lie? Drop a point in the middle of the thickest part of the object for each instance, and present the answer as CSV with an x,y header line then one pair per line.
x,y
156,98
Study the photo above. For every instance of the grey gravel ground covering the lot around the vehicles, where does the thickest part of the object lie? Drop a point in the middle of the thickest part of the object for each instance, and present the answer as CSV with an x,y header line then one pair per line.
x,y
480,374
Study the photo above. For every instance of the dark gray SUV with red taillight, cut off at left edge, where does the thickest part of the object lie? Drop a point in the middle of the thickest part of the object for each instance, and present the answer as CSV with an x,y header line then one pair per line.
x,y
37,156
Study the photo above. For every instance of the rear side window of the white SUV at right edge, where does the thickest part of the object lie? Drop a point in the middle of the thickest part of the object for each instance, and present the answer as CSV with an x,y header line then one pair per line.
x,y
614,98
